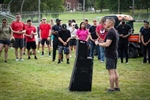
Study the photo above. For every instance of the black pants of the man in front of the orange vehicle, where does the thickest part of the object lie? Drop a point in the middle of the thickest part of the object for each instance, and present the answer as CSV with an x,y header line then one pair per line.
x,y
123,49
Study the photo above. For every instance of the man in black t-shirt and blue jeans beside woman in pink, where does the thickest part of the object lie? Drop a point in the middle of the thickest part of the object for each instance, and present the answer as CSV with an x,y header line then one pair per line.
x,y
93,37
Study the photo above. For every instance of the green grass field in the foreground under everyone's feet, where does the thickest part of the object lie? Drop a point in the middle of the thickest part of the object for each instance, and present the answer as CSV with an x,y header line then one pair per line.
x,y
43,79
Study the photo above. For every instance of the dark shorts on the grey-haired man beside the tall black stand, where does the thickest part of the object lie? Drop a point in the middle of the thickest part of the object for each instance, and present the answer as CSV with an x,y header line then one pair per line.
x,y
111,63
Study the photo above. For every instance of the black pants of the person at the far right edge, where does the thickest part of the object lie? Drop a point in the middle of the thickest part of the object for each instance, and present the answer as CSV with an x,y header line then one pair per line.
x,y
145,50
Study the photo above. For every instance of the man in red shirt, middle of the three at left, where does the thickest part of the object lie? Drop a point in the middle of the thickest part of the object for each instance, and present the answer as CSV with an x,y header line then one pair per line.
x,y
30,38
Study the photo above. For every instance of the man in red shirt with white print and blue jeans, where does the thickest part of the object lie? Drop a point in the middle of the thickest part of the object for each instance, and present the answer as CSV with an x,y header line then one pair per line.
x,y
101,33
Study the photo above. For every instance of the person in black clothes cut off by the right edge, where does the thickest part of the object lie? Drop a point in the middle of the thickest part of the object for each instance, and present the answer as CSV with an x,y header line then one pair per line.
x,y
145,38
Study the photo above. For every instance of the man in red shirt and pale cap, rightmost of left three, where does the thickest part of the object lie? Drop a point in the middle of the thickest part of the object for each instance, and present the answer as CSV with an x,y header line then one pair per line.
x,y
45,32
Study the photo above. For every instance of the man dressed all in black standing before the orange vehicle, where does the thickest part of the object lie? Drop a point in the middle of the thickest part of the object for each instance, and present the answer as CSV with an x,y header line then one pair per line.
x,y
124,31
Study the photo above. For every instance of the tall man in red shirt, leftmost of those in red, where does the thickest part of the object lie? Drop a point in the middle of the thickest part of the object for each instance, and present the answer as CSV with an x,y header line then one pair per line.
x,y
18,29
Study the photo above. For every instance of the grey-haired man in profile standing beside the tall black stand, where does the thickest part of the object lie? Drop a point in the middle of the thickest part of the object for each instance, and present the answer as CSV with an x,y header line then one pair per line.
x,y
111,54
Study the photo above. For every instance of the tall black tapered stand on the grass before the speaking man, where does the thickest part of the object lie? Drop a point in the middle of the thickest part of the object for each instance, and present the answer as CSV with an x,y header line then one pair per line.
x,y
81,79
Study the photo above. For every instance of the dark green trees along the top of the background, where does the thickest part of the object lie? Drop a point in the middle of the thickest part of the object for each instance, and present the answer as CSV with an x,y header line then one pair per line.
x,y
58,5
